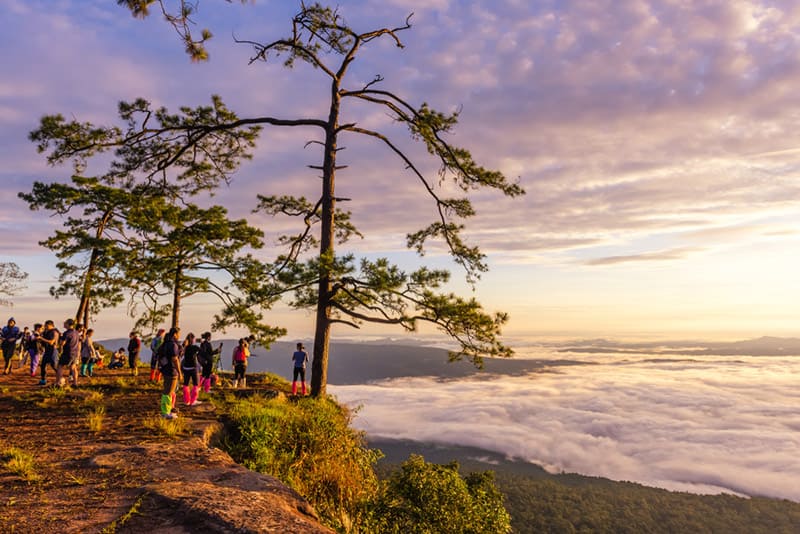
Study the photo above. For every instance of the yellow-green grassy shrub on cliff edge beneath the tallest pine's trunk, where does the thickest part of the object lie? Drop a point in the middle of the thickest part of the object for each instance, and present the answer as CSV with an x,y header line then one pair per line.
x,y
310,446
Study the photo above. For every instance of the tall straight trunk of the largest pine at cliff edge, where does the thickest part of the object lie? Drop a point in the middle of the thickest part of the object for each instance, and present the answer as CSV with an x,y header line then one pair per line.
x,y
322,331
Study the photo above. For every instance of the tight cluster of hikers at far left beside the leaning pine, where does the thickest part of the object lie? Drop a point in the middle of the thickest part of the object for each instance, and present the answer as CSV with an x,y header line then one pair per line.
x,y
70,353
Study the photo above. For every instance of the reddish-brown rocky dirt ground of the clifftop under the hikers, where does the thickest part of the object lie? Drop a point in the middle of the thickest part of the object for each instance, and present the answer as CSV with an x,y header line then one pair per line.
x,y
131,472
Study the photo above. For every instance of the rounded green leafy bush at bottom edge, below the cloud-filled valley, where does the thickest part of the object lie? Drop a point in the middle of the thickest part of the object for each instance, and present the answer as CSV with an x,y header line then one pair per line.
x,y
421,497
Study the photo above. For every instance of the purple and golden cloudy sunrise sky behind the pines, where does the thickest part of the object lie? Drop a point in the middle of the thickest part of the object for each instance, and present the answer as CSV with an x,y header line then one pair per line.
x,y
656,141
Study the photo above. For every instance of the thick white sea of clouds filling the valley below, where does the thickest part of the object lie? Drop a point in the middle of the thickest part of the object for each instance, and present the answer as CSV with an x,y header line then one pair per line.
x,y
706,425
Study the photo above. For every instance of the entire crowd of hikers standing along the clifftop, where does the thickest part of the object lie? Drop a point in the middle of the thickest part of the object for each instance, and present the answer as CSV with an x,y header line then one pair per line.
x,y
71,353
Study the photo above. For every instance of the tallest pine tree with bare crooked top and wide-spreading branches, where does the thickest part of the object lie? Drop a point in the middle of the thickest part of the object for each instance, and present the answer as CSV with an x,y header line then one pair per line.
x,y
200,146
